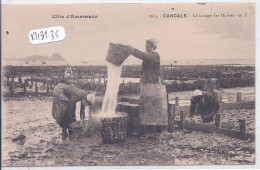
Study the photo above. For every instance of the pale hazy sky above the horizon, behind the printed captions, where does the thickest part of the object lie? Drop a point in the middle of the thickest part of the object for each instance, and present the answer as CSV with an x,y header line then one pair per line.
x,y
88,39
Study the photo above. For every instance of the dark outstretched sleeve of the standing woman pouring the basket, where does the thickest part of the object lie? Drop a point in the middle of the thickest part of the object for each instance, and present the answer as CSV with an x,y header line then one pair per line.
x,y
153,57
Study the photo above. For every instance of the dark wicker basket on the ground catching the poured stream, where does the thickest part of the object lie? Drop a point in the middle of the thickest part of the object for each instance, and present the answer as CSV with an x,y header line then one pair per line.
x,y
113,129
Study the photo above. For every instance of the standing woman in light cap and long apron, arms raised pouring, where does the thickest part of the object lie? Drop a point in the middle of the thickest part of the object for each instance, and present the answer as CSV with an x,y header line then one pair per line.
x,y
153,96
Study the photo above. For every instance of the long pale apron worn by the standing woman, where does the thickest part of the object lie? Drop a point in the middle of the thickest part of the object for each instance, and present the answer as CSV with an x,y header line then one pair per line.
x,y
153,104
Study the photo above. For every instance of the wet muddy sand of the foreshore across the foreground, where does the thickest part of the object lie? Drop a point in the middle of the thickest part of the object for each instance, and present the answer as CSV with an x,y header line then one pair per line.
x,y
43,145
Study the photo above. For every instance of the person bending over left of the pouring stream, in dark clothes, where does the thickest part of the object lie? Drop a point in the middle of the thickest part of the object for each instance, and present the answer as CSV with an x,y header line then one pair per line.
x,y
65,98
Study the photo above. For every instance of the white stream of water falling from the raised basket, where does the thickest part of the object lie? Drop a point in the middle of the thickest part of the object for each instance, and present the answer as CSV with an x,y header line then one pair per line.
x,y
110,98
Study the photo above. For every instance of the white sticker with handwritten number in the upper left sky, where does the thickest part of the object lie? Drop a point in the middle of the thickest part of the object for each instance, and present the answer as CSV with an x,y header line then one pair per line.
x,y
46,35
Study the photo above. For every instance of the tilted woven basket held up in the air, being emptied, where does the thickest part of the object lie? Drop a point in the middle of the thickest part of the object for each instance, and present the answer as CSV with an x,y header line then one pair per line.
x,y
117,54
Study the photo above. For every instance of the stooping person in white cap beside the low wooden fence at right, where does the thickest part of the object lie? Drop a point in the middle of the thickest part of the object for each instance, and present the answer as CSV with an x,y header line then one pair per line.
x,y
206,104
